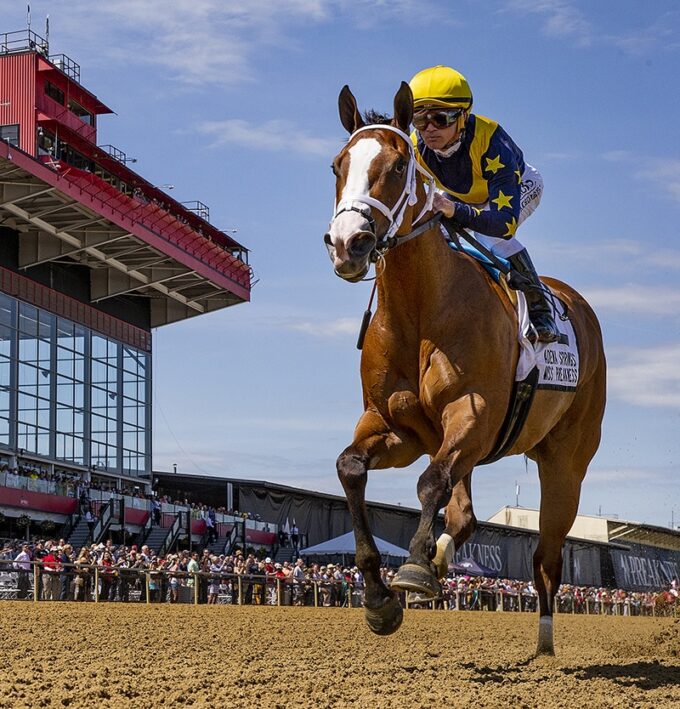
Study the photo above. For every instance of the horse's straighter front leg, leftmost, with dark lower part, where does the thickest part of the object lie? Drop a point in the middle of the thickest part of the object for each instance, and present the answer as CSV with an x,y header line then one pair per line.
x,y
373,447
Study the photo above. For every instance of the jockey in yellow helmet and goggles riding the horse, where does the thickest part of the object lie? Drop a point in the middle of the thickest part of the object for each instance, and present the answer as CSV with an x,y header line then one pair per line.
x,y
480,175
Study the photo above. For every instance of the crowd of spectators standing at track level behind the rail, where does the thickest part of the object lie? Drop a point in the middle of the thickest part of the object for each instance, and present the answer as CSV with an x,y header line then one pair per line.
x,y
123,574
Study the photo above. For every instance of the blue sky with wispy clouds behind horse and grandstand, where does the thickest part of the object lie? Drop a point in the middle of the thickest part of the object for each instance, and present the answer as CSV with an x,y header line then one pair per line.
x,y
235,104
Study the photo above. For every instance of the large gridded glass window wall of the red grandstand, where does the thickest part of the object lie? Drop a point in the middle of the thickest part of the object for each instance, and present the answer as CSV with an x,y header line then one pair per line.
x,y
117,434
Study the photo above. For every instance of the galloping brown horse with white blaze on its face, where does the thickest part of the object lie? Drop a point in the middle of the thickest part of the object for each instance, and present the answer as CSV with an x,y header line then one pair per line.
x,y
437,371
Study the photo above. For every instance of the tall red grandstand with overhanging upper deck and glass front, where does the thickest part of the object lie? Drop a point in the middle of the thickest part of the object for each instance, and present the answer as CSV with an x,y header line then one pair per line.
x,y
92,257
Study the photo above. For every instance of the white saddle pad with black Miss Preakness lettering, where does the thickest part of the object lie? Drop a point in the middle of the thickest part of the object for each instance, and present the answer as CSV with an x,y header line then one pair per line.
x,y
557,362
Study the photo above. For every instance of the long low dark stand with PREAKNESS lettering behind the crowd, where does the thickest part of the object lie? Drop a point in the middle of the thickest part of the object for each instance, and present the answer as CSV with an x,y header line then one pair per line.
x,y
498,544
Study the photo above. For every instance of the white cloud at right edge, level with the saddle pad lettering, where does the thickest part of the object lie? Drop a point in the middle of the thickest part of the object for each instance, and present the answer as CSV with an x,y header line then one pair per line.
x,y
646,377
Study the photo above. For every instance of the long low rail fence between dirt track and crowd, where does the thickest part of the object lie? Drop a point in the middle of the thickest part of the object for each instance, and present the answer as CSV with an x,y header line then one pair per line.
x,y
97,584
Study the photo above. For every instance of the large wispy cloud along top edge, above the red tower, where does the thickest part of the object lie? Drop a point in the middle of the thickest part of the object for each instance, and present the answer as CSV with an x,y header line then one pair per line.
x,y
212,42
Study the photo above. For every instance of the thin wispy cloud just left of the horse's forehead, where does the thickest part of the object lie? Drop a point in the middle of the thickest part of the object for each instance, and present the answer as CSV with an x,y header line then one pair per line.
x,y
271,136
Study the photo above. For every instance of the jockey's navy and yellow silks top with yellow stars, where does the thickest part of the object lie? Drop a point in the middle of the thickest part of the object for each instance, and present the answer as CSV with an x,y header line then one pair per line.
x,y
483,176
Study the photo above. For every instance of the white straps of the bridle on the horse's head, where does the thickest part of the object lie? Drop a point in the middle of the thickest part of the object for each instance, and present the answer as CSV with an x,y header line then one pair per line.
x,y
408,197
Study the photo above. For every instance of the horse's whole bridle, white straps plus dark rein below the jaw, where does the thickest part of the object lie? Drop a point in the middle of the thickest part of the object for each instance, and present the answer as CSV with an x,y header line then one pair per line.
x,y
362,203
